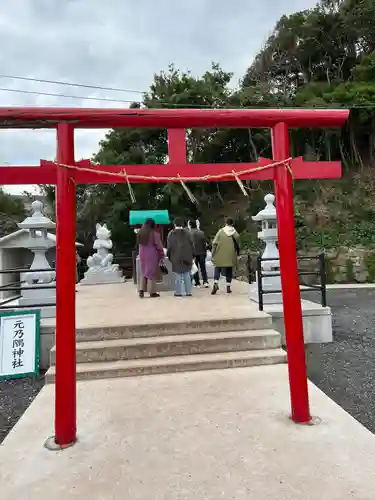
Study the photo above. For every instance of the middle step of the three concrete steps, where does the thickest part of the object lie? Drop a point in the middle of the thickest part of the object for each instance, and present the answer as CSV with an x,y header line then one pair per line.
x,y
174,345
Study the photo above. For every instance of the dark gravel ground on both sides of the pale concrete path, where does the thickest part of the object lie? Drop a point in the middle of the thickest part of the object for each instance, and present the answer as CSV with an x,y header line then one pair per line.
x,y
344,370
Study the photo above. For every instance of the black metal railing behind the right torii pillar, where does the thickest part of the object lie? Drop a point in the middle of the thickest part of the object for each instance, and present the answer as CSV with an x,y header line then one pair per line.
x,y
320,274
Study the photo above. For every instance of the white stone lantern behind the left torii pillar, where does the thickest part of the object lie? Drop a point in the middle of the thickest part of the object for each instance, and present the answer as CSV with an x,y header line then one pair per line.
x,y
41,277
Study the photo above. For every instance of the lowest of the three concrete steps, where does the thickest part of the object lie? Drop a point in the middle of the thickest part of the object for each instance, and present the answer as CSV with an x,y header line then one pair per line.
x,y
174,364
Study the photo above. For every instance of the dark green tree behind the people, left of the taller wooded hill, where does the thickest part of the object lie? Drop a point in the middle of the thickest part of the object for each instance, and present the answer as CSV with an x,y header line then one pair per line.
x,y
172,88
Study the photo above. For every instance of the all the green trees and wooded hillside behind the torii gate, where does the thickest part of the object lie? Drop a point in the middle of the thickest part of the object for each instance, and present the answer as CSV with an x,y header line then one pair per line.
x,y
320,57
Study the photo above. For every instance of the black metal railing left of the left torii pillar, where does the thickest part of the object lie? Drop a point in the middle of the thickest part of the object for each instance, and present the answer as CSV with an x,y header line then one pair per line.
x,y
17,286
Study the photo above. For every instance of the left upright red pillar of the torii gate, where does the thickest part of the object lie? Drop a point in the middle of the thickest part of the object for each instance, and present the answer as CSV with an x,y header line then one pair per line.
x,y
65,407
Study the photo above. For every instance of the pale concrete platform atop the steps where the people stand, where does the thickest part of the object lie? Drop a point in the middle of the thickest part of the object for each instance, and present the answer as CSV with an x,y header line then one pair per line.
x,y
119,304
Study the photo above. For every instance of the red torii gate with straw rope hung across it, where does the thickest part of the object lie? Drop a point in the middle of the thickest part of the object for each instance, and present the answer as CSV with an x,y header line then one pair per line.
x,y
65,173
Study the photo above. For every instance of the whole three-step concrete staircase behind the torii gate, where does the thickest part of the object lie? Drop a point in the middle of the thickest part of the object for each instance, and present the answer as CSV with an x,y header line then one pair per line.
x,y
133,350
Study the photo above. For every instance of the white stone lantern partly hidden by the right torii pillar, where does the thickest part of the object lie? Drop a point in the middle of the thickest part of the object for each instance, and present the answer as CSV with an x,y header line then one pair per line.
x,y
271,266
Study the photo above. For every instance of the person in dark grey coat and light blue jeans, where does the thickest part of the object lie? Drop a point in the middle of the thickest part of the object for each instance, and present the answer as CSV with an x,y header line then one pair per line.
x,y
180,252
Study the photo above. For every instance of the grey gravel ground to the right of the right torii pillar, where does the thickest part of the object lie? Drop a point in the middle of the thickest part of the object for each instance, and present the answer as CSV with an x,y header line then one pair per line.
x,y
345,369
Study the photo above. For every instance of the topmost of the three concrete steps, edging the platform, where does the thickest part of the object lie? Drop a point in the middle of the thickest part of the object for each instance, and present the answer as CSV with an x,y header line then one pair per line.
x,y
257,321
